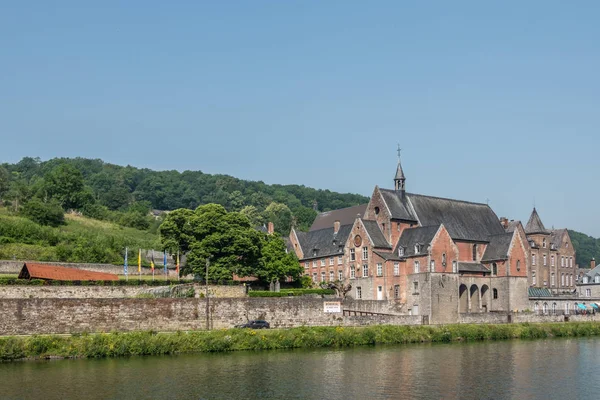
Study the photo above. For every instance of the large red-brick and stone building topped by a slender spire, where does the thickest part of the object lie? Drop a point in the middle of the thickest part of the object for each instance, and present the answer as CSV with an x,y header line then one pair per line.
x,y
436,257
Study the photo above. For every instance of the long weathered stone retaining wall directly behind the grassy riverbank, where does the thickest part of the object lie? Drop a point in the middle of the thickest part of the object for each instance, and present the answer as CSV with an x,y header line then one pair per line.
x,y
43,316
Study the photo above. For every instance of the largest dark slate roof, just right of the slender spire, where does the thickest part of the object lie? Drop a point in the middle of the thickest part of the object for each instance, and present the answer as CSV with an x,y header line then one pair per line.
x,y
463,220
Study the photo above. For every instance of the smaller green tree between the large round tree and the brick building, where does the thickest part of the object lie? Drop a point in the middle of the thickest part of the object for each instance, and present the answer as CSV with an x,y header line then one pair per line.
x,y
276,263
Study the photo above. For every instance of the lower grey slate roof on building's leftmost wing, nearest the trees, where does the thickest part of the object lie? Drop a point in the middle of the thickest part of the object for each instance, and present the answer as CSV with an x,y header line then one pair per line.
x,y
324,241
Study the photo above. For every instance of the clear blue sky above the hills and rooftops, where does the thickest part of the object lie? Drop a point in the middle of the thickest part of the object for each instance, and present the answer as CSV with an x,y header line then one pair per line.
x,y
489,101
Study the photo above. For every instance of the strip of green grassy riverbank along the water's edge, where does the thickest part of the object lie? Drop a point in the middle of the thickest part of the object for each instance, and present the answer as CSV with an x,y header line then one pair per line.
x,y
152,343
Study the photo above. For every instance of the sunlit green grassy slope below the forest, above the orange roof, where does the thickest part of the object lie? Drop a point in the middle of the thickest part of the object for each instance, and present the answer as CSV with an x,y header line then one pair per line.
x,y
80,240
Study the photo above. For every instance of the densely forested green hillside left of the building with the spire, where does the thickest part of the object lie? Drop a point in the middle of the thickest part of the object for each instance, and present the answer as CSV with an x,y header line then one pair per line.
x,y
125,195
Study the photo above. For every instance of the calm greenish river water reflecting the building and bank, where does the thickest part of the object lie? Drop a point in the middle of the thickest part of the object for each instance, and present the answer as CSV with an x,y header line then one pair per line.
x,y
540,369
